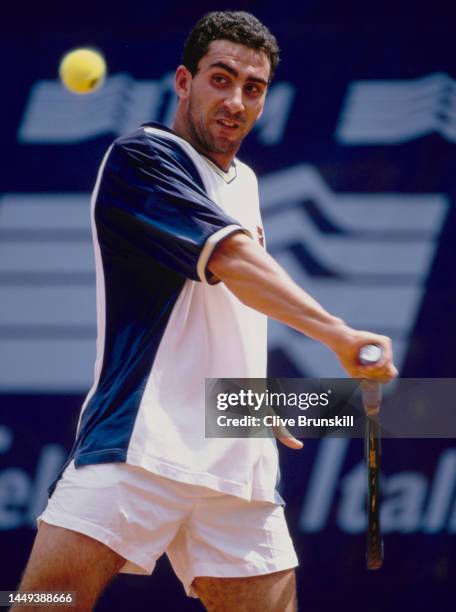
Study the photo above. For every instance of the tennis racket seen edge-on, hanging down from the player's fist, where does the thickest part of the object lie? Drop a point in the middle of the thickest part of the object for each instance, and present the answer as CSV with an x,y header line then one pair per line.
x,y
372,395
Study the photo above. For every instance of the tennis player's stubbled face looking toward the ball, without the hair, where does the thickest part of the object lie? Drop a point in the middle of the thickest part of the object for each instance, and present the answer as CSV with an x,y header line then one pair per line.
x,y
226,97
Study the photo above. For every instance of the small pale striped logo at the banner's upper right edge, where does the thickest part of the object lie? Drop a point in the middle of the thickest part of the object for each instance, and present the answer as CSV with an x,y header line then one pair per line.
x,y
393,112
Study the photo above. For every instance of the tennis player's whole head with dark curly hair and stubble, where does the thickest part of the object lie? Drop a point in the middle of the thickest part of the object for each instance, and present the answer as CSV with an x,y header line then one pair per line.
x,y
228,62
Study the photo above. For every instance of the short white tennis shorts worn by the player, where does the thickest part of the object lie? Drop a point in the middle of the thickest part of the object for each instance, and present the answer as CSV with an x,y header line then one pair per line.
x,y
141,515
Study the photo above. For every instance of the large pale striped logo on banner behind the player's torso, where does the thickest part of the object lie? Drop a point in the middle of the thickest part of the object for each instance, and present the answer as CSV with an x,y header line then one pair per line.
x,y
364,257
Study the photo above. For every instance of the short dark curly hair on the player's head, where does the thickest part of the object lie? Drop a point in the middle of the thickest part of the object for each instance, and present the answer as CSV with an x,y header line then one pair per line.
x,y
238,27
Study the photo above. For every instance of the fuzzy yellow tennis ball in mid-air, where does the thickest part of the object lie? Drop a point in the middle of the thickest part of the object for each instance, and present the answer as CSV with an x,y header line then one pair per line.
x,y
82,70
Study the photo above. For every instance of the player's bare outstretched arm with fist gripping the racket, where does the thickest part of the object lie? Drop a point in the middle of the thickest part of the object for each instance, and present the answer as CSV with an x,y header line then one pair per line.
x,y
259,282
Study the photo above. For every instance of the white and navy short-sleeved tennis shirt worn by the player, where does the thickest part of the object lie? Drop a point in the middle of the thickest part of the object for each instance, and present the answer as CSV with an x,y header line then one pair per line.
x,y
159,209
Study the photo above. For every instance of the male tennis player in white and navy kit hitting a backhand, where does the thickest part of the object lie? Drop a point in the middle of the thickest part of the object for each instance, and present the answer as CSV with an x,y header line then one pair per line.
x,y
184,289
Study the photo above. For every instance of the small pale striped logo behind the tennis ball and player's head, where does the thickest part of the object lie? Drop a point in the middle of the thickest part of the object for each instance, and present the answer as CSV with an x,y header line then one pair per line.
x,y
55,116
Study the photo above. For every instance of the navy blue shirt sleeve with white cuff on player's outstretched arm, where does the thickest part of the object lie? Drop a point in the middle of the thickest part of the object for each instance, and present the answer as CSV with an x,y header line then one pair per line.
x,y
152,196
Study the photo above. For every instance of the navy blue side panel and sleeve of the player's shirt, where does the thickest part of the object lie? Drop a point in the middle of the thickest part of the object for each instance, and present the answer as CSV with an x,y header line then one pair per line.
x,y
153,218
